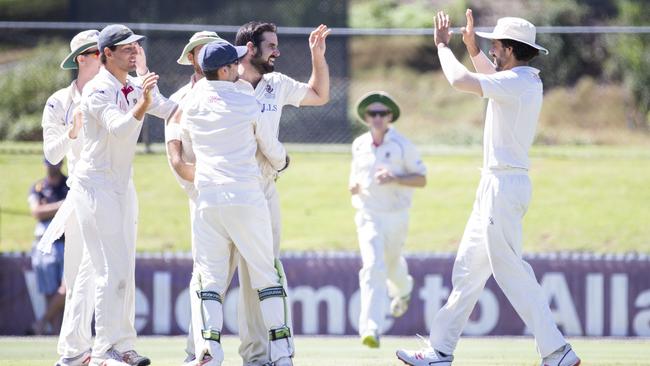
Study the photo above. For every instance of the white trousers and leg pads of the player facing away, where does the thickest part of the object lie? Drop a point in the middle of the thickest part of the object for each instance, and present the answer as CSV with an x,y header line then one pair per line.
x,y
216,229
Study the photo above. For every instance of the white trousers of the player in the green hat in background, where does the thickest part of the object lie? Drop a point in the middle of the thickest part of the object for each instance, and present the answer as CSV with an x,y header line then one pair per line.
x,y
384,269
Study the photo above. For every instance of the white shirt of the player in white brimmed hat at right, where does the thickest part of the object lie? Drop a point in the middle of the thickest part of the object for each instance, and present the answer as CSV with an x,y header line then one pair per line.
x,y
515,101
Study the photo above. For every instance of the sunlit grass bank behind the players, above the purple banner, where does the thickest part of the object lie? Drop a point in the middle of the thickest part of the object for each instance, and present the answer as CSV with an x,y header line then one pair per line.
x,y
584,199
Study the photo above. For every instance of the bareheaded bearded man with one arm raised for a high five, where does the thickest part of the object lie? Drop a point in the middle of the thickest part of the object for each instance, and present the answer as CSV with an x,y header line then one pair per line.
x,y
273,90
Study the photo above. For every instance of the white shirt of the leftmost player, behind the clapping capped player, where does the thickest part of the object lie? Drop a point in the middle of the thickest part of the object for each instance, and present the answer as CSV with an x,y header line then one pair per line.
x,y
56,122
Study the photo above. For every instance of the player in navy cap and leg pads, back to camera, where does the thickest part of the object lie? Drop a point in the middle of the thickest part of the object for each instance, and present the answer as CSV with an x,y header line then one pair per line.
x,y
224,126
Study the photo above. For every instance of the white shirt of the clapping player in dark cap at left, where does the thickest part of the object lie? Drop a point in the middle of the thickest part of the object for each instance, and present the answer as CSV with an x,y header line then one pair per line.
x,y
111,132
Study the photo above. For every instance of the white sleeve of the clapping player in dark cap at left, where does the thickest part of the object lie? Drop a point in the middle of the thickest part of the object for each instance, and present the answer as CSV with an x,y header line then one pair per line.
x,y
99,106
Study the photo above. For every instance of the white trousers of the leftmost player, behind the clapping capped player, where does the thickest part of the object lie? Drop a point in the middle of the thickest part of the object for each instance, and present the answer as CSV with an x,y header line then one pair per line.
x,y
79,277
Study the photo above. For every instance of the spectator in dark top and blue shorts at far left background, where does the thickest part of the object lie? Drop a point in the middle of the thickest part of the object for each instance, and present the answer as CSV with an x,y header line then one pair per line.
x,y
45,198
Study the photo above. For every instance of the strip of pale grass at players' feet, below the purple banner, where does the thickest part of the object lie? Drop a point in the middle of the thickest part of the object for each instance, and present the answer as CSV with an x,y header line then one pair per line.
x,y
346,351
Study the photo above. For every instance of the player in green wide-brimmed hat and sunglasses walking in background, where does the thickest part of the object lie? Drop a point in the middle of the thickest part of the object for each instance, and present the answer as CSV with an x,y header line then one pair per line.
x,y
385,168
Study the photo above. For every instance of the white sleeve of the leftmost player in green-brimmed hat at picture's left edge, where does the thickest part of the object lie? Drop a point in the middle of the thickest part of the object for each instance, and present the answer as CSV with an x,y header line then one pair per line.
x,y
56,141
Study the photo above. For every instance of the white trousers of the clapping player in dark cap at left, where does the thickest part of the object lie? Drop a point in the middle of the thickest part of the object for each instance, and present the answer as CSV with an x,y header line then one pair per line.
x,y
108,223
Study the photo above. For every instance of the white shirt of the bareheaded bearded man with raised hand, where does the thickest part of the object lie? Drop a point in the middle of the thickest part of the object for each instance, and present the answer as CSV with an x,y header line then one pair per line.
x,y
273,92
